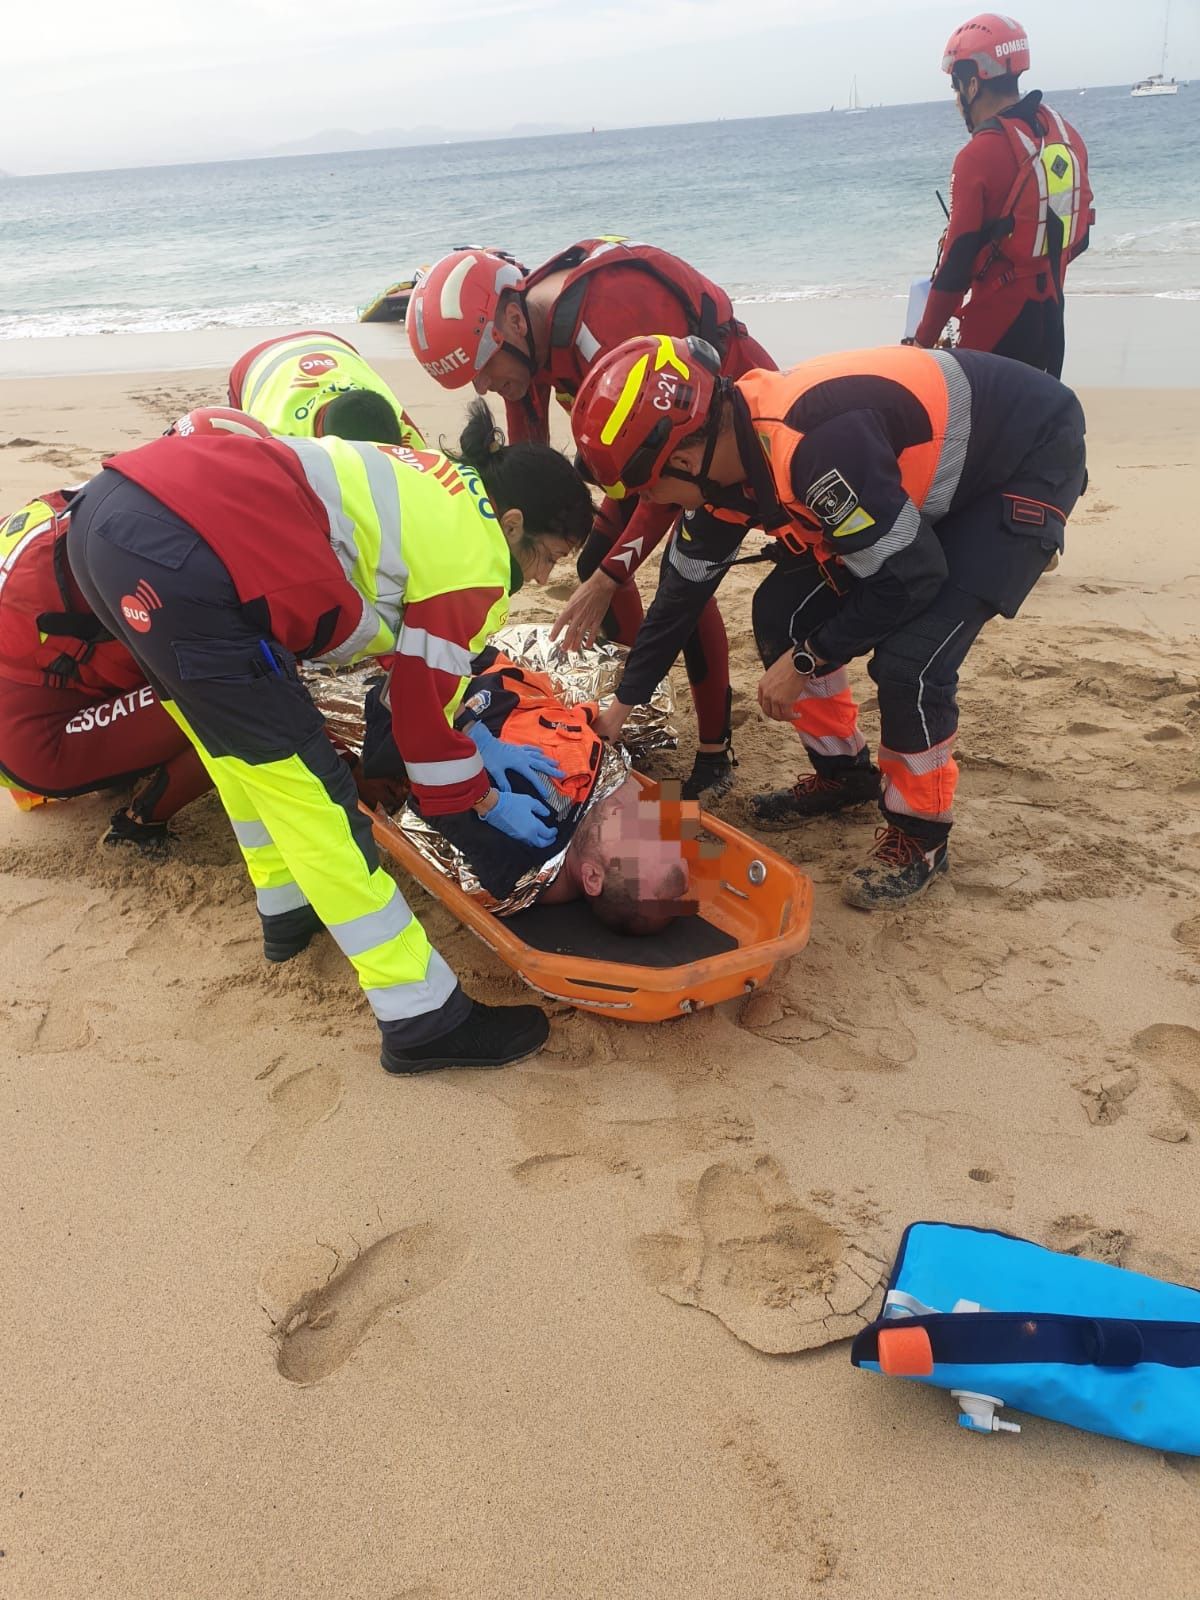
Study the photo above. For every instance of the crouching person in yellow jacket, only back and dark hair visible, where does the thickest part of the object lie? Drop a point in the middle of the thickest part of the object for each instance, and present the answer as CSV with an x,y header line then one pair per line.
x,y
314,386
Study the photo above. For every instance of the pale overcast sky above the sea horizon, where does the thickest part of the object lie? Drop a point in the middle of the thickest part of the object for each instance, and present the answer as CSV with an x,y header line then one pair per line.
x,y
135,82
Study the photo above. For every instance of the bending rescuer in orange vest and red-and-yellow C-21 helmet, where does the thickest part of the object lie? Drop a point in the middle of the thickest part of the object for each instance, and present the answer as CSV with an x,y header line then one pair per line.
x,y
914,495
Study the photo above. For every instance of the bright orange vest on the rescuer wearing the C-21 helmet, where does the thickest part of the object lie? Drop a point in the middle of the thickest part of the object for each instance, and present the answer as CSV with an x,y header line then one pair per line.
x,y
772,396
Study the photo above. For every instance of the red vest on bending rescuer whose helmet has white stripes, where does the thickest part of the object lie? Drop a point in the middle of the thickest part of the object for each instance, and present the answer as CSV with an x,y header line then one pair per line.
x,y
706,306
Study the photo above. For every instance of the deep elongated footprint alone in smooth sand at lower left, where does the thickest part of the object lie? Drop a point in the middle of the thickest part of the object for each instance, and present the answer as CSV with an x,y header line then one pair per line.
x,y
324,1324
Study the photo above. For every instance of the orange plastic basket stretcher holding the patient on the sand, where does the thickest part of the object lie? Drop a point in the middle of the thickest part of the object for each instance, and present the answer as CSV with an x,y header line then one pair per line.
x,y
758,914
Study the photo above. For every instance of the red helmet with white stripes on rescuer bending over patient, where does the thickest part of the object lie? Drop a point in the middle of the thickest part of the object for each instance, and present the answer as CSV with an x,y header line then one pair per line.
x,y
452,316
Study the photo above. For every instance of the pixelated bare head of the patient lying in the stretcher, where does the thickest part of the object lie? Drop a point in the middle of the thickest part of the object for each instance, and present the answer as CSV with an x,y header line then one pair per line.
x,y
634,879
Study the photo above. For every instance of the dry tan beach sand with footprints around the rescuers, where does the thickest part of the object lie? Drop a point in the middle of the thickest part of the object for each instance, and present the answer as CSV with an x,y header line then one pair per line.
x,y
274,1322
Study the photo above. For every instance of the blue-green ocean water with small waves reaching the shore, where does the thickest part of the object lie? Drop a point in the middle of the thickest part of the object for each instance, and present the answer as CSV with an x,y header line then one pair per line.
x,y
775,209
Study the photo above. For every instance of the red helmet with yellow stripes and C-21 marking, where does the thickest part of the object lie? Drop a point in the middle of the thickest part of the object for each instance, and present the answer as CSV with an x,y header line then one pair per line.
x,y
638,404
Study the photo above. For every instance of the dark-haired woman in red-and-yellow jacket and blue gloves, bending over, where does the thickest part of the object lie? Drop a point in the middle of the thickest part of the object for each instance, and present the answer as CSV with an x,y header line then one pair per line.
x,y
223,561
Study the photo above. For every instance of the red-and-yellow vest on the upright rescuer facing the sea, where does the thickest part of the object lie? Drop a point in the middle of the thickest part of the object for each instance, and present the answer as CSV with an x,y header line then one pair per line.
x,y
1025,252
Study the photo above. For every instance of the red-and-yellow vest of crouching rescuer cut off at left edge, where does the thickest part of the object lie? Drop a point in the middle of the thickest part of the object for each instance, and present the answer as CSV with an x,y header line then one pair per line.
x,y
39,596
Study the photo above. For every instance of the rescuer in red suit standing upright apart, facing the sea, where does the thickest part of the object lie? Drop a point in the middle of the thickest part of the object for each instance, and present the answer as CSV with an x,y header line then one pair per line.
x,y
1020,206
